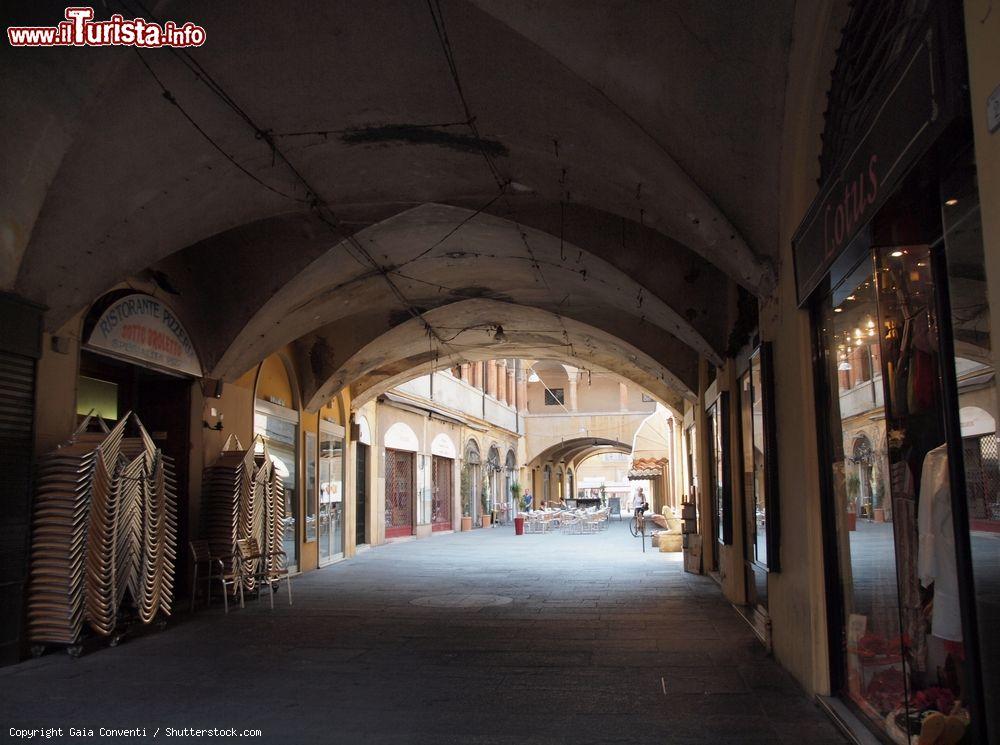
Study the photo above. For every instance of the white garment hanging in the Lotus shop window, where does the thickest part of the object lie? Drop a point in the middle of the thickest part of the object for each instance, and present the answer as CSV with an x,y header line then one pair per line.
x,y
936,560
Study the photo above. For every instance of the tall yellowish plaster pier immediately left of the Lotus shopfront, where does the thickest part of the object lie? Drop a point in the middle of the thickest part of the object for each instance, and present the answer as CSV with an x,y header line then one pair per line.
x,y
797,604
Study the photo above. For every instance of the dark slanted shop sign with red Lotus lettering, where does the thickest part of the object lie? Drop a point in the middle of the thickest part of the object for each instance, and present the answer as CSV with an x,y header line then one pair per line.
x,y
911,114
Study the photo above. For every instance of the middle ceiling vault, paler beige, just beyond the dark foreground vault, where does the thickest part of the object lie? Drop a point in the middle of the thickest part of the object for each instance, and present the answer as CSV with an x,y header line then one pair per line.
x,y
348,306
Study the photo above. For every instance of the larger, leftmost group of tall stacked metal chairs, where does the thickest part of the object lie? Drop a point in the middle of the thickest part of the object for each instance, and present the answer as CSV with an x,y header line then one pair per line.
x,y
104,535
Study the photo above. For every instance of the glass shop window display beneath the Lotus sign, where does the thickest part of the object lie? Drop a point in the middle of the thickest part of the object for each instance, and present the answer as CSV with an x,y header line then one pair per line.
x,y
892,352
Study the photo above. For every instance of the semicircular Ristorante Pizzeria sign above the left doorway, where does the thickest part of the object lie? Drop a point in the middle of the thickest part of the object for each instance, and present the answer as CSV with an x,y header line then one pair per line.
x,y
144,330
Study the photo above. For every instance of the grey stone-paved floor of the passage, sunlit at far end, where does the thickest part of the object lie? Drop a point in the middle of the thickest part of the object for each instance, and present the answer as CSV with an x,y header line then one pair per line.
x,y
478,637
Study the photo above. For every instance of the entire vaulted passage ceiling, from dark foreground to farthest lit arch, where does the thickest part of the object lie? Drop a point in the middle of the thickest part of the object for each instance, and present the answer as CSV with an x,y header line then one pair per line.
x,y
379,183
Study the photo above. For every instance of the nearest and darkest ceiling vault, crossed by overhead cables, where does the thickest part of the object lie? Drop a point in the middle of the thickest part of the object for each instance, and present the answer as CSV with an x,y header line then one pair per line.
x,y
631,126
